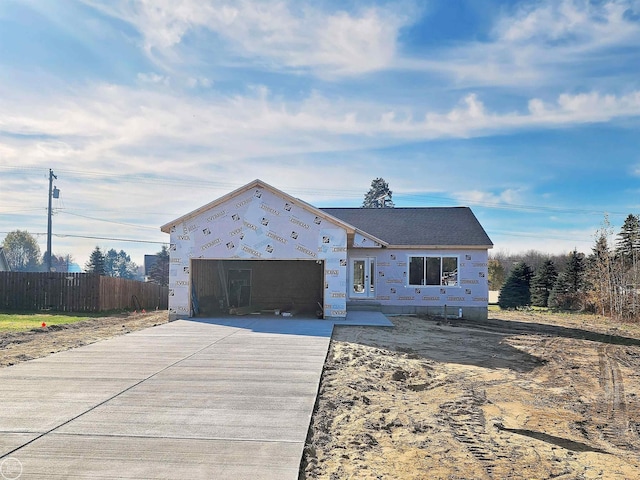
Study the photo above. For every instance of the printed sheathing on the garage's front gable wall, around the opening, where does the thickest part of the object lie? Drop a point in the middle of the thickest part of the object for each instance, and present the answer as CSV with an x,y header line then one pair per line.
x,y
258,225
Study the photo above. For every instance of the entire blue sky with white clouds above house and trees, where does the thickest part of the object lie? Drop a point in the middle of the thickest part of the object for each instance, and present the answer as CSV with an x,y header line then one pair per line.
x,y
526,111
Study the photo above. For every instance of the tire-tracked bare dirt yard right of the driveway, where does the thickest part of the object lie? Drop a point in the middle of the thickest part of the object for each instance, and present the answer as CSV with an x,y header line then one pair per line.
x,y
522,396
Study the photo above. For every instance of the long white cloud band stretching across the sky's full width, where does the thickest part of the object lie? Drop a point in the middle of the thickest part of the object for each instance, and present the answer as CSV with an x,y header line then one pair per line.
x,y
125,123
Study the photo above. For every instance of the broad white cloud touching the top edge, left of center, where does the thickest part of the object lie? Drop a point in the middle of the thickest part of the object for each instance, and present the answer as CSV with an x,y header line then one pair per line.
x,y
283,33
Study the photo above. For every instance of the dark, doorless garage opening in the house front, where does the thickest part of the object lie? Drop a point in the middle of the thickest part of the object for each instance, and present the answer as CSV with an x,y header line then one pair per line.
x,y
218,286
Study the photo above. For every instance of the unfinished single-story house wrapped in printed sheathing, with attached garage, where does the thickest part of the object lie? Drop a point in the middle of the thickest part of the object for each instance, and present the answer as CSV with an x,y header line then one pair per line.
x,y
260,246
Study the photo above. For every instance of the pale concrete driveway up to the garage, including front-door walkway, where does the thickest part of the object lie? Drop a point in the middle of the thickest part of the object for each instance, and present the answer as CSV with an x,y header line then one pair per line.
x,y
205,399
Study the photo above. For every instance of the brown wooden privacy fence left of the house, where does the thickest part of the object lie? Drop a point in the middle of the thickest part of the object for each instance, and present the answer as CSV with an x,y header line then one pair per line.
x,y
77,292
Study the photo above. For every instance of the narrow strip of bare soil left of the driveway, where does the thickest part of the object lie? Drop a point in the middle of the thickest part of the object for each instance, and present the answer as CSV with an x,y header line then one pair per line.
x,y
40,342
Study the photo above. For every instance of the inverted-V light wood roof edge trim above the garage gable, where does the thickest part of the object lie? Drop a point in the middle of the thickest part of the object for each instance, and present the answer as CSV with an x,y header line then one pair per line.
x,y
260,184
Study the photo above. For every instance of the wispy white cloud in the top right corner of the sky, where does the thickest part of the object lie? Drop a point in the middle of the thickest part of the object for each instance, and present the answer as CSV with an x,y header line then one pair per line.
x,y
541,43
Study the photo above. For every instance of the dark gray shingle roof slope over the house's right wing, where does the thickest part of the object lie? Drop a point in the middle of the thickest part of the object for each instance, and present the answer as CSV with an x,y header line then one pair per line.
x,y
430,226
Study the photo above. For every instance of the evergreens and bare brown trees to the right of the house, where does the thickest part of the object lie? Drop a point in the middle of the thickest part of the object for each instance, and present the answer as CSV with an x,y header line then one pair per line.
x,y
605,281
